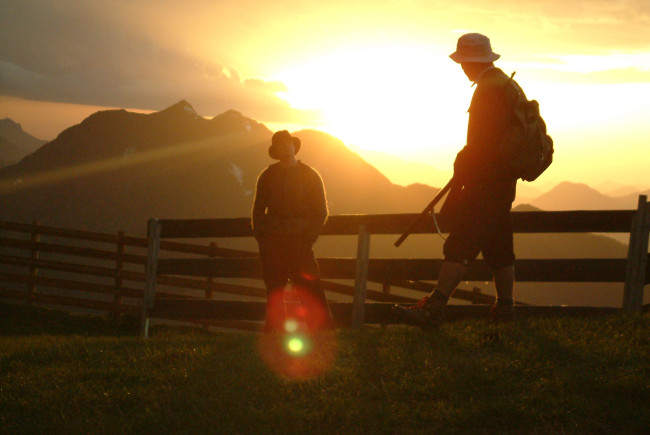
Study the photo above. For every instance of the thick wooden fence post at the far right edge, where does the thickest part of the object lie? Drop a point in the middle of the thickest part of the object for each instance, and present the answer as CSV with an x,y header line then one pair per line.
x,y
637,258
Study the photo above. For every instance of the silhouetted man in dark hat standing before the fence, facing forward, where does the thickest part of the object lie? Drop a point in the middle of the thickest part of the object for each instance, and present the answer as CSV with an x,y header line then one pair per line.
x,y
289,212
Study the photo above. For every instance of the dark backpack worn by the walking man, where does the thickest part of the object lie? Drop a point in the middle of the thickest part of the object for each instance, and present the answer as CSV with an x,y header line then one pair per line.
x,y
526,147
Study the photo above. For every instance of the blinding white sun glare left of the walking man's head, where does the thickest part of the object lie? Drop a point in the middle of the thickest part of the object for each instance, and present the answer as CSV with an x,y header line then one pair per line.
x,y
395,98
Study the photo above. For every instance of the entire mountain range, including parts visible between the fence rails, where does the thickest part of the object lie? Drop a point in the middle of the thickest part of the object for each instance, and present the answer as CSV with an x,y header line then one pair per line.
x,y
116,169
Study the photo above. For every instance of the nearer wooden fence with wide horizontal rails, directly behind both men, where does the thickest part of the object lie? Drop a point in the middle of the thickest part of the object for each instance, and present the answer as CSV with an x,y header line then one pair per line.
x,y
632,271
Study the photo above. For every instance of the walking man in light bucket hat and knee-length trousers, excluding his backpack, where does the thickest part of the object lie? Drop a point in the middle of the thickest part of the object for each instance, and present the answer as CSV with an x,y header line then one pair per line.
x,y
478,205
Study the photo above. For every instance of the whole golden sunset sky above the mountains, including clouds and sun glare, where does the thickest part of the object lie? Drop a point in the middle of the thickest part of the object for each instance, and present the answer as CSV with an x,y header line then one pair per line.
x,y
374,73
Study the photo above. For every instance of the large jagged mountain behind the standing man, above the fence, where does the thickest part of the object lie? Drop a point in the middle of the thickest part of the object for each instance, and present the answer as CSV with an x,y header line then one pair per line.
x,y
117,169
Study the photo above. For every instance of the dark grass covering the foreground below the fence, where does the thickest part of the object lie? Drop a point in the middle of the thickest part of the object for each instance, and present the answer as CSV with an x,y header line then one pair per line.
x,y
579,375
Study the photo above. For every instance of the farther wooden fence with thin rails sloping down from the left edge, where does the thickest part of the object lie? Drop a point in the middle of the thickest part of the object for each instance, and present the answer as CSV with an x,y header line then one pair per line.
x,y
106,272
